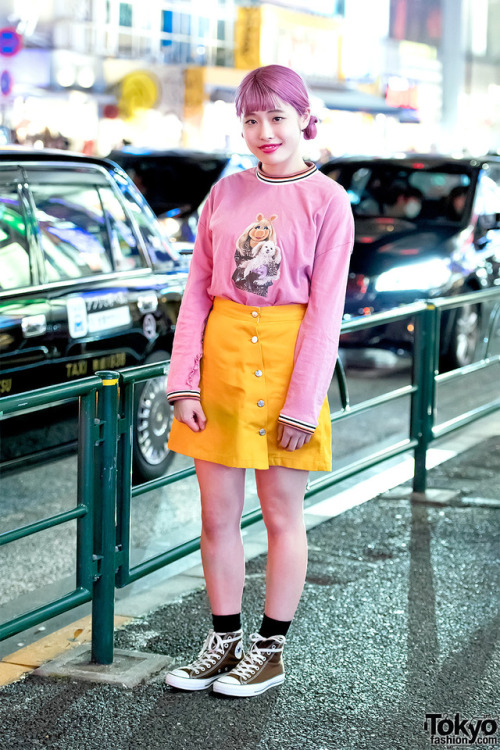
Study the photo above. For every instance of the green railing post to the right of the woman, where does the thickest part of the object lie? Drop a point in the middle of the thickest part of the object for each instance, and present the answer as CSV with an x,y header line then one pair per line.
x,y
426,344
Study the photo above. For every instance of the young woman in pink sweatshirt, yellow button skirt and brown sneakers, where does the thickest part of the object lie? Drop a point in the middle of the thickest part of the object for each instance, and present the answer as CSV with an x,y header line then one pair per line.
x,y
254,352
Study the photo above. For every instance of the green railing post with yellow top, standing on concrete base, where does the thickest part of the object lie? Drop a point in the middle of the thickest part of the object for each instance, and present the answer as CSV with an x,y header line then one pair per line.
x,y
103,601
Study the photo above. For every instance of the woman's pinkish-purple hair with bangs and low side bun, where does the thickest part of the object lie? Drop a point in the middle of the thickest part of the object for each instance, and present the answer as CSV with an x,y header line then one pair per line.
x,y
263,88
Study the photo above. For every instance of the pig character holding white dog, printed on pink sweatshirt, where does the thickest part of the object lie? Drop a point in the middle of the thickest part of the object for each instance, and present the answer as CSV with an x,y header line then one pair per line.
x,y
257,257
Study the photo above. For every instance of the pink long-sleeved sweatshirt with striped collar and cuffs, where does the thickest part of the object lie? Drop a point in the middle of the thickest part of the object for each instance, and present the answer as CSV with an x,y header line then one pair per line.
x,y
271,241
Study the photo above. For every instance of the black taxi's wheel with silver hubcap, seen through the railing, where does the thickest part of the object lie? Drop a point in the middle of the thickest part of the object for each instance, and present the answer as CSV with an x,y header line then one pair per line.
x,y
152,423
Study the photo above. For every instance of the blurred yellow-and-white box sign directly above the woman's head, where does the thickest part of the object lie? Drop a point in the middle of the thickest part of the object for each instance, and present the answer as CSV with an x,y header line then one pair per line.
x,y
268,34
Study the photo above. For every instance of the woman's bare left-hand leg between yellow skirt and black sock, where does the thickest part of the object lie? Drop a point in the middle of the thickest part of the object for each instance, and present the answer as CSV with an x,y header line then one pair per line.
x,y
222,490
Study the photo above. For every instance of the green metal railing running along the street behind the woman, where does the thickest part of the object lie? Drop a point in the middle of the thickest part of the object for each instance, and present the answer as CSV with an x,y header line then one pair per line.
x,y
105,490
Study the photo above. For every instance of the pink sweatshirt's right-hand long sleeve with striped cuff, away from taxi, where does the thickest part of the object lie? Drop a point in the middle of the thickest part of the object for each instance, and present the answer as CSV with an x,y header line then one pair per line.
x,y
317,343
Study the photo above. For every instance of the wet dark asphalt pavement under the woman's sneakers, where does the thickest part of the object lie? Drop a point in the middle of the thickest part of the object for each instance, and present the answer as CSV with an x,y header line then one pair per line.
x,y
399,619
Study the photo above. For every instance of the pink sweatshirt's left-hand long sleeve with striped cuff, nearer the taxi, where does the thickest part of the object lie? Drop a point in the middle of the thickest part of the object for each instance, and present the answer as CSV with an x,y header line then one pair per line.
x,y
184,375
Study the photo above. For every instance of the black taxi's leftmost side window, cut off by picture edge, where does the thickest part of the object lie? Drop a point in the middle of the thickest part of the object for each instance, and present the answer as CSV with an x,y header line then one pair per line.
x,y
14,253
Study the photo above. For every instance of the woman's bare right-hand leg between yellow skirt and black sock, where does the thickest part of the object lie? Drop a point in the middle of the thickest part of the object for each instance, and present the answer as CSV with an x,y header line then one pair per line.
x,y
281,493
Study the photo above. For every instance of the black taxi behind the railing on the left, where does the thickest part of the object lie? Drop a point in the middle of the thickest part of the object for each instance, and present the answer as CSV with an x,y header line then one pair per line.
x,y
88,282
